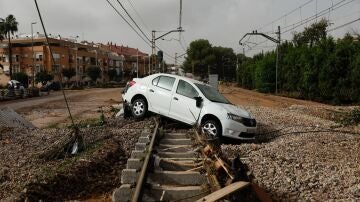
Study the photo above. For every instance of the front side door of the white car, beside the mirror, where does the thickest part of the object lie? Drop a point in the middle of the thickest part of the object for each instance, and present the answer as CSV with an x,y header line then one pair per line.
x,y
183,105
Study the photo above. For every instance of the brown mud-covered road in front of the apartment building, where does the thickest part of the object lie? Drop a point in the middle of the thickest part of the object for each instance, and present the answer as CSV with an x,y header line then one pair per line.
x,y
49,110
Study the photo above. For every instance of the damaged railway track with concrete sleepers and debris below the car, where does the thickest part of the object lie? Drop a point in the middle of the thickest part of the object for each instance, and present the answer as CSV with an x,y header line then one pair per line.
x,y
172,165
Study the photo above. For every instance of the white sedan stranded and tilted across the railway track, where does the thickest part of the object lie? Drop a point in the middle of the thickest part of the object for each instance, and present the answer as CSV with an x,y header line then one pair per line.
x,y
189,101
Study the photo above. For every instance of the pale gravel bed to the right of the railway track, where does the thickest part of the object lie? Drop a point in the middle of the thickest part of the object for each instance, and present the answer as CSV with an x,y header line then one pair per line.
x,y
302,166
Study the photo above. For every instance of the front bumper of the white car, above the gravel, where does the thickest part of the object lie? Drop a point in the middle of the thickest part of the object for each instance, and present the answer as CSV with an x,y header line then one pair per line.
x,y
237,130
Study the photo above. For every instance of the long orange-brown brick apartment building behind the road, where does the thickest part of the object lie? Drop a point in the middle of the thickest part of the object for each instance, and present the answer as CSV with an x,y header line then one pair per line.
x,y
67,53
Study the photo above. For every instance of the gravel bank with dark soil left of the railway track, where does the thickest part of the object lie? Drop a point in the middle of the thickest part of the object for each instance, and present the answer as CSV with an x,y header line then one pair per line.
x,y
20,165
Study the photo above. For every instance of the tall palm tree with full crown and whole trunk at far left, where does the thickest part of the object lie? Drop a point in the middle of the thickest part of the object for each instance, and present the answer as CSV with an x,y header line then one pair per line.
x,y
10,26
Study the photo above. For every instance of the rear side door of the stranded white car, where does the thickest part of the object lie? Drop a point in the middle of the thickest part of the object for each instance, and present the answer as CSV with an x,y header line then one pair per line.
x,y
160,93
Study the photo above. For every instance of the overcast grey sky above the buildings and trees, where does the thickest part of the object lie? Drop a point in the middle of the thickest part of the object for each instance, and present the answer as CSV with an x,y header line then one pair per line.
x,y
222,22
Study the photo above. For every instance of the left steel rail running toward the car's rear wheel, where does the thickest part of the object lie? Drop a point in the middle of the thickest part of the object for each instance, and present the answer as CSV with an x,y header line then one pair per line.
x,y
139,184
